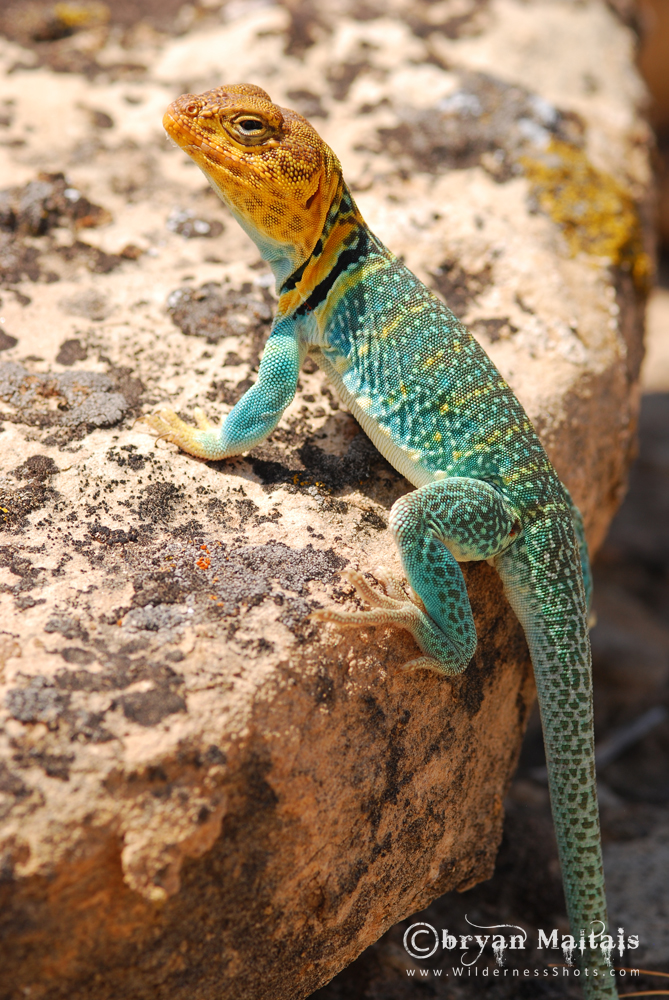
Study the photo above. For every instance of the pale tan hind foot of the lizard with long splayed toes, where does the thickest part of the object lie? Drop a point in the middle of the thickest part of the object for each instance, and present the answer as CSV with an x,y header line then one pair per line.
x,y
394,607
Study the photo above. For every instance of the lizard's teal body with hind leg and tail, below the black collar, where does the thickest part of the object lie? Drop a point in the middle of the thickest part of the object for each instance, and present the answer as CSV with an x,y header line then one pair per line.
x,y
438,409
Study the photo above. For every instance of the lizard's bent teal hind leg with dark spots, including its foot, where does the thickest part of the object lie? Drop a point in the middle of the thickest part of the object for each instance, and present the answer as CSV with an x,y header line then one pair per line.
x,y
434,527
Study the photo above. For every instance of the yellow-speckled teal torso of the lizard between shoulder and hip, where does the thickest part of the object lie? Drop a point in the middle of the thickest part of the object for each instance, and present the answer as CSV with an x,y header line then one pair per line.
x,y
430,385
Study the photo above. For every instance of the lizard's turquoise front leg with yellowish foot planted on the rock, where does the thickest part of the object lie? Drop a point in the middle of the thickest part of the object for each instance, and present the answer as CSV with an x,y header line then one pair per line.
x,y
254,416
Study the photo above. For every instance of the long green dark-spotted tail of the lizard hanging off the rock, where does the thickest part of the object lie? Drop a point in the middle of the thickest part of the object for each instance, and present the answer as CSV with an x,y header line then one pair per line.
x,y
542,578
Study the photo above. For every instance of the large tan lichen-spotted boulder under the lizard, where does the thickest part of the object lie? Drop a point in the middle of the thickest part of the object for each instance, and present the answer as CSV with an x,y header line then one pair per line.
x,y
202,794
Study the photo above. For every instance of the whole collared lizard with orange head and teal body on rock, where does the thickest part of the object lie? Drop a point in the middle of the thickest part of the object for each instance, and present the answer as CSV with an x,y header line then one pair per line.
x,y
436,407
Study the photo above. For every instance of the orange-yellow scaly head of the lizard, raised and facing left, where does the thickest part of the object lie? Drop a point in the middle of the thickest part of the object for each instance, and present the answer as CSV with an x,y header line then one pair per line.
x,y
266,163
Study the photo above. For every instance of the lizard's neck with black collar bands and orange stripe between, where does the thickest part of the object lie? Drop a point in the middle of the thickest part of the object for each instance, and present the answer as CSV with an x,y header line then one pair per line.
x,y
344,240
